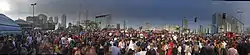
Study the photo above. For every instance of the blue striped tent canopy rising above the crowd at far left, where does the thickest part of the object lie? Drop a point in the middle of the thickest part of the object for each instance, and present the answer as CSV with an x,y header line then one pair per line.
x,y
8,26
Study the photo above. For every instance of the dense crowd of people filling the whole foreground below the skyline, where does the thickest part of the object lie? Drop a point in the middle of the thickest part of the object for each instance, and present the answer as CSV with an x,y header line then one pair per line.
x,y
107,43
